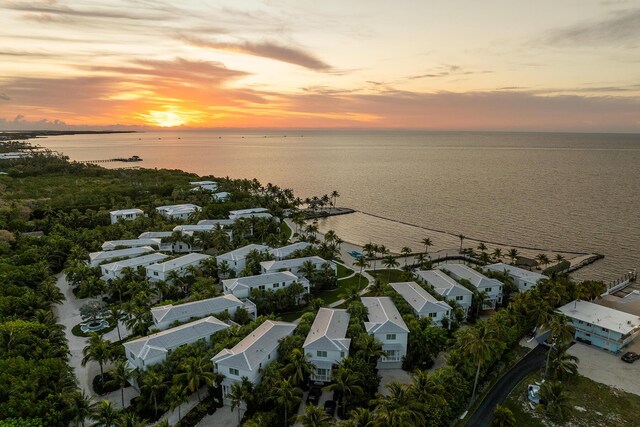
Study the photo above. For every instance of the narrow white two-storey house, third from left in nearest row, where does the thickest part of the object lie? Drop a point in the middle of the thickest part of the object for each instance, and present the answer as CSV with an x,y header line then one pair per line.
x,y
326,344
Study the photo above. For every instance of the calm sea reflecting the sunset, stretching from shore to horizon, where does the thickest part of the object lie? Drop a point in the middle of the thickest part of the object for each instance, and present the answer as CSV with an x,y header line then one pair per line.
x,y
562,192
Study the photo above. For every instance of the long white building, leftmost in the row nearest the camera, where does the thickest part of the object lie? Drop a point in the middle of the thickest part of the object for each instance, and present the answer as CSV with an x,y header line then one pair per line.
x,y
152,349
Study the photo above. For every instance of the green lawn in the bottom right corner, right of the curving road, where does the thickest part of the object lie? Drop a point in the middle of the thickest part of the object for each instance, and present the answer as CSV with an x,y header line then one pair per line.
x,y
600,405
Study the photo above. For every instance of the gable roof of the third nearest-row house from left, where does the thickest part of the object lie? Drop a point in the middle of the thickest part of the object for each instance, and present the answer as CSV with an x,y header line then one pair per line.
x,y
329,331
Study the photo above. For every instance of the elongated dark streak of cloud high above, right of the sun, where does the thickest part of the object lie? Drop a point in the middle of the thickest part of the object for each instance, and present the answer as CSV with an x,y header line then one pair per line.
x,y
269,50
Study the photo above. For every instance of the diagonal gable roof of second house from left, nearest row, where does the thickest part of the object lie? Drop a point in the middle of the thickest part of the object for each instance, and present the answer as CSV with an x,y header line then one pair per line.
x,y
249,353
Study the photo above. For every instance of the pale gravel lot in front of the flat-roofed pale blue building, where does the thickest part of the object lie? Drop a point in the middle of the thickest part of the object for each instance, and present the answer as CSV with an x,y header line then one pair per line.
x,y
606,368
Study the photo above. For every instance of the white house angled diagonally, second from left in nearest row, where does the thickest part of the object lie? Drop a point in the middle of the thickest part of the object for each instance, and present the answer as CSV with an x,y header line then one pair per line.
x,y
246,359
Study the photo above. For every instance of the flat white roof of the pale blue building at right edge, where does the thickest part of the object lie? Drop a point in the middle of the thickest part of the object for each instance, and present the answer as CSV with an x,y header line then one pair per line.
x,y
605,317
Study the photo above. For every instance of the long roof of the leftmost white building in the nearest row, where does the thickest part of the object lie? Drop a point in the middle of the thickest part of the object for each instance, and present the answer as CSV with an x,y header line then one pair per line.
x,y
152,345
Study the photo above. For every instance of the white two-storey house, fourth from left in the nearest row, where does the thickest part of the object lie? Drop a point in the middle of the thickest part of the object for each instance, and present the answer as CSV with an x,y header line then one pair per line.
x,y
386,325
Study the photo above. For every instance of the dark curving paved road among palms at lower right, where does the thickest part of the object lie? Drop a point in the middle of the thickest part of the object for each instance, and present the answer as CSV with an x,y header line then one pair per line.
x,y
531,362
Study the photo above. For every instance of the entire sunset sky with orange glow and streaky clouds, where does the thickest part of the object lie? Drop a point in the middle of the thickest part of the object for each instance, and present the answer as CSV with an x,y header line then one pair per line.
x,y
562,65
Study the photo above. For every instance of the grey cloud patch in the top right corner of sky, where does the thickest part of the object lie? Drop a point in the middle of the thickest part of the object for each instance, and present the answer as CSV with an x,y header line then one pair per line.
x,y
620,29
